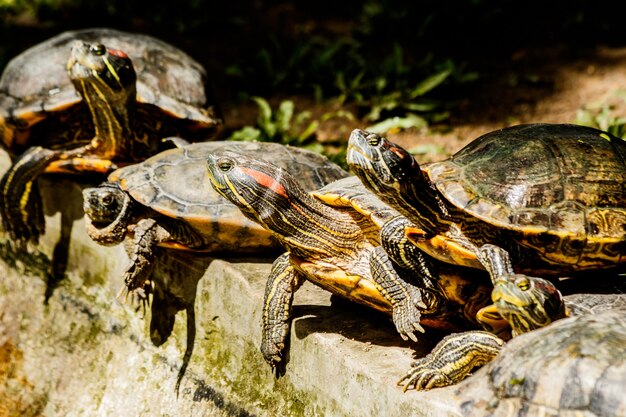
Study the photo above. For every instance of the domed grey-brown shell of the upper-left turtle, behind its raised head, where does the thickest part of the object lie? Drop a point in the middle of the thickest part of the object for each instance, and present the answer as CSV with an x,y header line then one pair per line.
x,y
35,83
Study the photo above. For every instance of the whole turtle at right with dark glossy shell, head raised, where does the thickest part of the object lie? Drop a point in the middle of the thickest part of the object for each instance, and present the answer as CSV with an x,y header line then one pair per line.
x,y
553,196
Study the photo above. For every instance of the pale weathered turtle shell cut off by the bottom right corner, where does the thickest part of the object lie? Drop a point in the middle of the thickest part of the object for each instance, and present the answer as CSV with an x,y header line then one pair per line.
x,y
573,367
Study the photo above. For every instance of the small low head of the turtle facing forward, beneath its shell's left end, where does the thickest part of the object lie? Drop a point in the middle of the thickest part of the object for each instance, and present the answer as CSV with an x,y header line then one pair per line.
x,y
108,209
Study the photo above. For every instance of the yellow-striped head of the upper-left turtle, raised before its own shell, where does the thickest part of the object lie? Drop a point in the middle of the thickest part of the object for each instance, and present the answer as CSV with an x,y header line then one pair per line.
x,y
98,71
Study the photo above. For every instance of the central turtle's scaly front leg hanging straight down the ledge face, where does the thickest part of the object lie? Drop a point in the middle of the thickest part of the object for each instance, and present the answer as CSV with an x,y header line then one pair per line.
x,y
281,285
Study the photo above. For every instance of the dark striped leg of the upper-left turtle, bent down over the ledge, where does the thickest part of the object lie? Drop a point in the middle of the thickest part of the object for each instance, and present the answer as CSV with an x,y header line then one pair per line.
x,y
21,206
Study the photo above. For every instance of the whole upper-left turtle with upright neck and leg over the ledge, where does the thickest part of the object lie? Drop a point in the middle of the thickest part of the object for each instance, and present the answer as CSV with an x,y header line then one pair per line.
x,y
88,101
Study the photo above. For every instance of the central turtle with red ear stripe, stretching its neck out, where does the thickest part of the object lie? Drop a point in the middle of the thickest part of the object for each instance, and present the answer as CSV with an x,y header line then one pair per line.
x,y
347,241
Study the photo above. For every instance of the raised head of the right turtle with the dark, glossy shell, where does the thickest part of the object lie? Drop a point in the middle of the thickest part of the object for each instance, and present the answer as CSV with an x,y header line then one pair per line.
x,y
381,165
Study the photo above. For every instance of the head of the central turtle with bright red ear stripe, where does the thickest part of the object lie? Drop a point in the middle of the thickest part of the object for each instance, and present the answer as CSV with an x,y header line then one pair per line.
x,y
258,188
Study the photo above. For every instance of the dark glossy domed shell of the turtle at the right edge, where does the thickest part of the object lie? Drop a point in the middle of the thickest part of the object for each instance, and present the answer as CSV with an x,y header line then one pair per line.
x,y
537,180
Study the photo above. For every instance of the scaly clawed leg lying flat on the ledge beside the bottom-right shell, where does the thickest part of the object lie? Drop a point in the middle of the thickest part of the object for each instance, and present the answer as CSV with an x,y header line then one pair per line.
x,y
454,357
